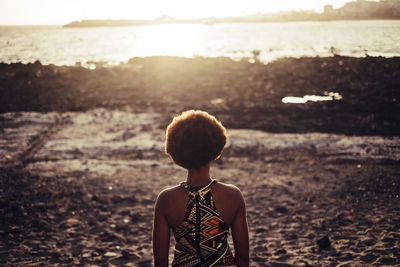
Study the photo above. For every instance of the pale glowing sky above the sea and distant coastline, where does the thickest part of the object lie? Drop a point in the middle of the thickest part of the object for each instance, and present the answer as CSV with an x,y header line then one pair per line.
x,y
41,12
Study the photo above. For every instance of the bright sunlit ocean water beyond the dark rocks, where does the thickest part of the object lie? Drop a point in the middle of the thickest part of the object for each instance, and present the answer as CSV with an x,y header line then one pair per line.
x,y
67,46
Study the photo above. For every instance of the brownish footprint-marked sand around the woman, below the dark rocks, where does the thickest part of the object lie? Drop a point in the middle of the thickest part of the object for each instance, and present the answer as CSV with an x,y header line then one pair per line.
x,y
78,188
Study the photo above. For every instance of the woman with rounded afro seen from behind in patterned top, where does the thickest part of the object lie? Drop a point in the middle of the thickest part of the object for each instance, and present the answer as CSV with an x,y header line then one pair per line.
x,y
200,211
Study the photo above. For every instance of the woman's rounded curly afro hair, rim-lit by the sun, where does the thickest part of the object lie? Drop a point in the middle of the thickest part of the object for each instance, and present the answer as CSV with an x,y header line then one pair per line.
x,y
195,138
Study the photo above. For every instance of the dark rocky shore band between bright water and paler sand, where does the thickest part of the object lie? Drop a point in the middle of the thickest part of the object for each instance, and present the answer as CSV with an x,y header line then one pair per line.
x,y
242,94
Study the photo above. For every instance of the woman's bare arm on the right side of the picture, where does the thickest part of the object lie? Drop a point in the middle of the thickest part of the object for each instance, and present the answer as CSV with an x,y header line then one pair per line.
x,y
240,233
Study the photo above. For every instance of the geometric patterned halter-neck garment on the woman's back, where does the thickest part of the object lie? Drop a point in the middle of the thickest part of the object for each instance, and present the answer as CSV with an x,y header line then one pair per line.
x,y
202,237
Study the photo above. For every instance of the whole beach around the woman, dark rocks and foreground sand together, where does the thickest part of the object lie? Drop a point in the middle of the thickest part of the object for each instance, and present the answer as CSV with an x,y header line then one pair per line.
x,y
82,161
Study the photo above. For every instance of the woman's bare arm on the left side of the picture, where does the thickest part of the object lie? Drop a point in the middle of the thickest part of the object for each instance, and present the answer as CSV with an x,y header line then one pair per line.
x,y
160,233
